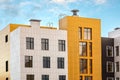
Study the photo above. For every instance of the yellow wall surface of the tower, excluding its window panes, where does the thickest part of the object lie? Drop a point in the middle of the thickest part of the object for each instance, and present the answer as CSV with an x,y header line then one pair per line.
x,y
71,24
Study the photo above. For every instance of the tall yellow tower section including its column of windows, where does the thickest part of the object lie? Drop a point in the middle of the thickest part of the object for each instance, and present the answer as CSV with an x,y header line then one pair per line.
x,y
84,47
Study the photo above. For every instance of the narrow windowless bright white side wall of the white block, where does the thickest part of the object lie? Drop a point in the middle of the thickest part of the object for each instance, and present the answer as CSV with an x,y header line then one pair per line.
x,y
15,55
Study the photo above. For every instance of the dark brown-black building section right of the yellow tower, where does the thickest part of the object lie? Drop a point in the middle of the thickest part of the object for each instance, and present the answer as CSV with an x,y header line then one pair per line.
x,y
107,58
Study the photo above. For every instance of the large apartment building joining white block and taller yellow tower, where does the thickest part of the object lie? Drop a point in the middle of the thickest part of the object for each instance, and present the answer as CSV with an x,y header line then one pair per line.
x,y
34,52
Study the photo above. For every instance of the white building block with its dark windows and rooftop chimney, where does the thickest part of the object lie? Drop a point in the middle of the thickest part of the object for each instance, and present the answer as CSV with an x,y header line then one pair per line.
x,y
38,53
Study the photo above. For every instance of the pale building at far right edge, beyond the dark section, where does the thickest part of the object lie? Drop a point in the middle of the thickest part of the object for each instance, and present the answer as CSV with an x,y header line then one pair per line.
x,y
116,35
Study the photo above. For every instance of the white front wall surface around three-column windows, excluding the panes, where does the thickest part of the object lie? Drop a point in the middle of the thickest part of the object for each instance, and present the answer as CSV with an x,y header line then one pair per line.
x,y
37,53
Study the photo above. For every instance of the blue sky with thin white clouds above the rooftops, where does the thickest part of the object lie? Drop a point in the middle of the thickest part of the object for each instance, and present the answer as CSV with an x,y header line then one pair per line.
x,y
49,11
